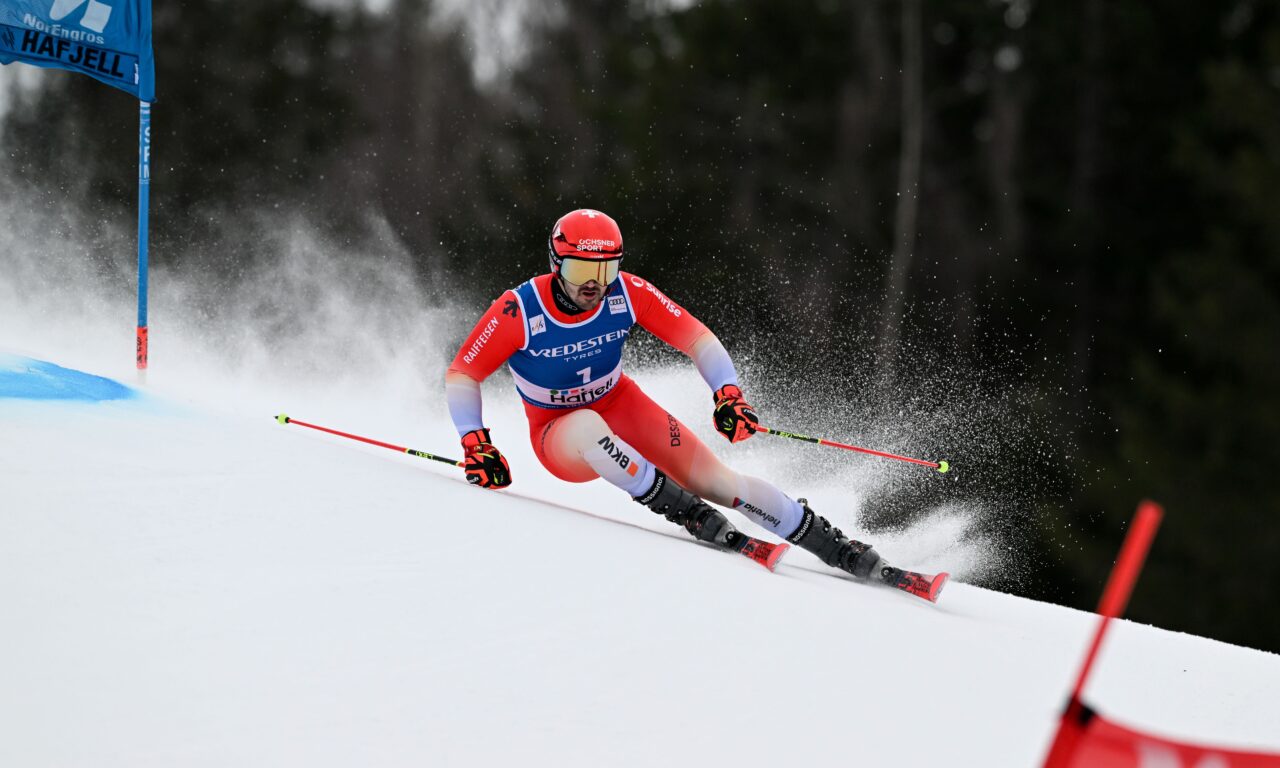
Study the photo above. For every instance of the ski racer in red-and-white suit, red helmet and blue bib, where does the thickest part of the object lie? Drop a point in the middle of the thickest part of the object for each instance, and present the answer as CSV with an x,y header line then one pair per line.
x,y
563,336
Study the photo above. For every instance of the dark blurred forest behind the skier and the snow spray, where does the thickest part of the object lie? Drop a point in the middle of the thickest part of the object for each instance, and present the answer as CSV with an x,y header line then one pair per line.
x,y
1085,195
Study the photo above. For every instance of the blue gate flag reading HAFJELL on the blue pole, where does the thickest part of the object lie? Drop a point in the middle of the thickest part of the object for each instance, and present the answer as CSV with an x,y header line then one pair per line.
x,y
109,40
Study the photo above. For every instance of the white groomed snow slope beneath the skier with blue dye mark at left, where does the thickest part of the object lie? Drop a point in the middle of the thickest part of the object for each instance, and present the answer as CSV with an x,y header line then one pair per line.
x,y
184,582
